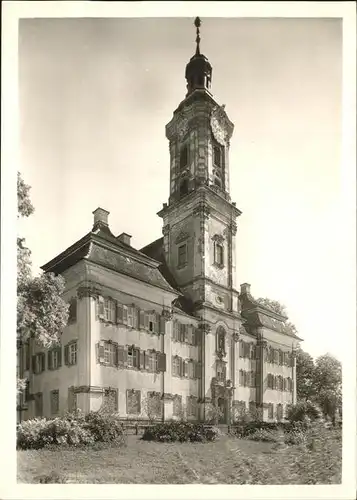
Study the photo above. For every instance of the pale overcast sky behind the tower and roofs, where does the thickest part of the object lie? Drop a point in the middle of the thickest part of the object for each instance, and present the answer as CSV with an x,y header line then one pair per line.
x,y
96,94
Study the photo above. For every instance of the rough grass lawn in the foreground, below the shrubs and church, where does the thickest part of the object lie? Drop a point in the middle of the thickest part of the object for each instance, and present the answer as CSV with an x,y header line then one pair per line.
x,y
226,461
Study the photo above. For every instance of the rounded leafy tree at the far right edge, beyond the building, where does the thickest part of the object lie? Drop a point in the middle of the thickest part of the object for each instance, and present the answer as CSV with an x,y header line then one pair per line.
x,y
328,384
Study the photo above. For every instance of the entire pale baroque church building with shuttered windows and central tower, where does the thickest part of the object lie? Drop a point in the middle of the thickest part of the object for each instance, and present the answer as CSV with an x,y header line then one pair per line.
x,y
164,332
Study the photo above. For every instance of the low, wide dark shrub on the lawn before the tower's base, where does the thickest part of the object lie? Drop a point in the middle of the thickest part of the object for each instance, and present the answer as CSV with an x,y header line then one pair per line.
x,y
180,431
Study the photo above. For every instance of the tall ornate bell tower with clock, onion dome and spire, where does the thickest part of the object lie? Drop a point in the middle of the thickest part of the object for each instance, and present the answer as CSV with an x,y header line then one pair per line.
x,y
199,220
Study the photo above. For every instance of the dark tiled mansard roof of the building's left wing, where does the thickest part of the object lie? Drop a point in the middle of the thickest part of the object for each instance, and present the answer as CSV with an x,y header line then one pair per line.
x,y
101,247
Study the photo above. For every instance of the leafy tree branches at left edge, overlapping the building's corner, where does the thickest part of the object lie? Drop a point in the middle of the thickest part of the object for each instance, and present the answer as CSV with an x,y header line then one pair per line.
x,y
42,313
